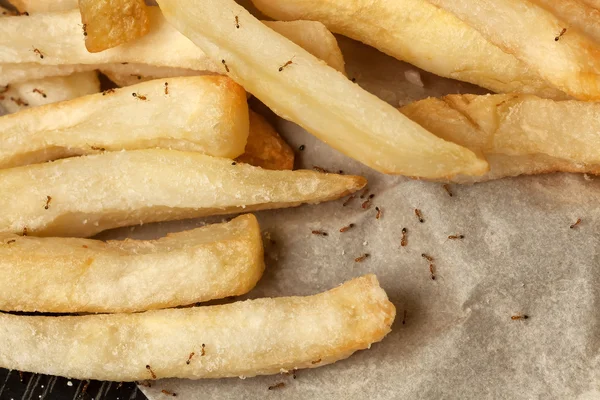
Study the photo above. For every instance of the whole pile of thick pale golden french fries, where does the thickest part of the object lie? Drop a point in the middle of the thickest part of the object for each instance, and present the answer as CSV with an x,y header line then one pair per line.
x,y
175,139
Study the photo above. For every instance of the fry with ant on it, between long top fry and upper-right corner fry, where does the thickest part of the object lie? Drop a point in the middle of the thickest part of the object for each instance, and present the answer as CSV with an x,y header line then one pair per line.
x,y
566,58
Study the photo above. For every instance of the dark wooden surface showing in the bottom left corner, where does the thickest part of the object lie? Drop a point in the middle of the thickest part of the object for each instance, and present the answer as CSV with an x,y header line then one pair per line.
x,y
40,387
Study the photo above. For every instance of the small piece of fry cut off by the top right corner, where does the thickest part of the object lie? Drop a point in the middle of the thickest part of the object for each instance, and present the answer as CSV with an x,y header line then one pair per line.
x,y
578,14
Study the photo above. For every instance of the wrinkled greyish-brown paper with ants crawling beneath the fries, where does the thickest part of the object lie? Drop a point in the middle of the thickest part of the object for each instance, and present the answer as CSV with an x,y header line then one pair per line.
x,y
458,341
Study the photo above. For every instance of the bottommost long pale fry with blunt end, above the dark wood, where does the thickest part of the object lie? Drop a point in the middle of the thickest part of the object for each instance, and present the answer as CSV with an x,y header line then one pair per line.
x,y
245,339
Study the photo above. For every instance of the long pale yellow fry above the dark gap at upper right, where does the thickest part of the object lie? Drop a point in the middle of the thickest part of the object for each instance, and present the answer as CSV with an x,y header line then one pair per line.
x,y
421,34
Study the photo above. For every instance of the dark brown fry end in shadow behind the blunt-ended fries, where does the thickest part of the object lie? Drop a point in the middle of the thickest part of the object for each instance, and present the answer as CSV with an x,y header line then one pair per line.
x,y
265,148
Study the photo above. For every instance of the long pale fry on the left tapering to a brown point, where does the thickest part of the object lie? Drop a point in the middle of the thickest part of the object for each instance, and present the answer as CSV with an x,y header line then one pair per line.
x,y
94,193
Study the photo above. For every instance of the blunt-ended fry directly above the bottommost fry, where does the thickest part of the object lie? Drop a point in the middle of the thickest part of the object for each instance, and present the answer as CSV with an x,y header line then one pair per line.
x,y
82,275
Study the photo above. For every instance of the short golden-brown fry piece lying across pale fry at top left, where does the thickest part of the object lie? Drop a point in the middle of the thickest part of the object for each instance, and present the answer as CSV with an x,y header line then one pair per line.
x,y
110,23
